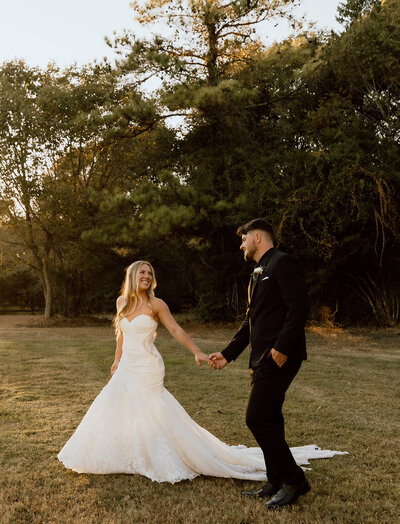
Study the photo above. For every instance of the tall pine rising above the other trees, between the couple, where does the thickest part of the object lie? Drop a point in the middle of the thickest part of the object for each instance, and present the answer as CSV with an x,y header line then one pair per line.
x,y
198,194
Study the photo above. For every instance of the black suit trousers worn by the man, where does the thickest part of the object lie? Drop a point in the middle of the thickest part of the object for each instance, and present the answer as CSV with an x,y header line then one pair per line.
x,y
265,420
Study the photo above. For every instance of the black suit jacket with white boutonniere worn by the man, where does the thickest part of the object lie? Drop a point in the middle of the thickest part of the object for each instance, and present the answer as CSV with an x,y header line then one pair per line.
x,y
276,312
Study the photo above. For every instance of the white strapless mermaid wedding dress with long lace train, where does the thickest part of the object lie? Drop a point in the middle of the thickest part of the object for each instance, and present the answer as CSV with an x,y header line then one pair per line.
x,y
136,426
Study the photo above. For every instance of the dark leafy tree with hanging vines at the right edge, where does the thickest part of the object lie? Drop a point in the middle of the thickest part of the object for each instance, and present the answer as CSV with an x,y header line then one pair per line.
x,y
348,208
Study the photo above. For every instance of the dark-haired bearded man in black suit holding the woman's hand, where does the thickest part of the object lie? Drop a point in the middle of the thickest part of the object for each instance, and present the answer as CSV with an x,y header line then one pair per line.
x,y
274,329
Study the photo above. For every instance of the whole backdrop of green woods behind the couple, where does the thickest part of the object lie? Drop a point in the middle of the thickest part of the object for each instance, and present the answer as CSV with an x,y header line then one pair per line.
x,y
305,132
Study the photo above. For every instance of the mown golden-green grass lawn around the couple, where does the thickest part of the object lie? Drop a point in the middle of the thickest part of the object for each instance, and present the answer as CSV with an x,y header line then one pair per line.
x,y
346,397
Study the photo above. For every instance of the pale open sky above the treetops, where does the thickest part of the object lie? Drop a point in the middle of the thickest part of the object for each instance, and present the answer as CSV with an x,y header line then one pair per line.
x,y
68,31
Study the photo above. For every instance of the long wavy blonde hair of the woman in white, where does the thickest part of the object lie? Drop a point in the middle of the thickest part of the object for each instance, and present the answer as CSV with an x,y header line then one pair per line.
x,y
130,292
